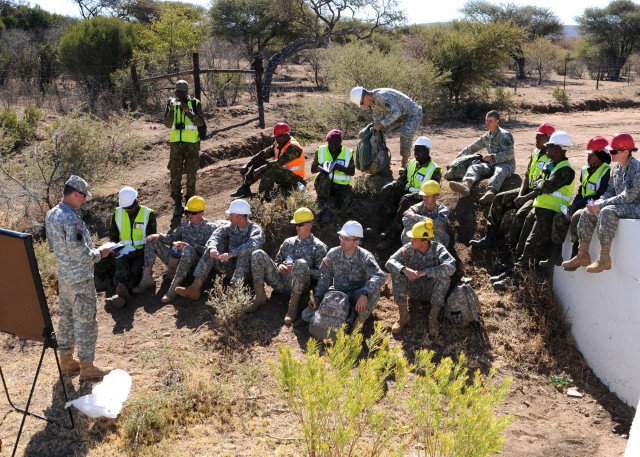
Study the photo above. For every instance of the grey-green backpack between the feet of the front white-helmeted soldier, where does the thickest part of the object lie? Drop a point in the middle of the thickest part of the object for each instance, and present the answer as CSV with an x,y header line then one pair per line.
x,y
333,312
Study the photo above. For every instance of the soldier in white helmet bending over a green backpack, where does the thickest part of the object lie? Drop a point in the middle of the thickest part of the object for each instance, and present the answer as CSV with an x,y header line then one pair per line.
x,y
388,108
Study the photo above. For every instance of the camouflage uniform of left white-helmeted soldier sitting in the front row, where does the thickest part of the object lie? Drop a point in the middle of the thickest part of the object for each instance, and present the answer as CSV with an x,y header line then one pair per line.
x,y
240,242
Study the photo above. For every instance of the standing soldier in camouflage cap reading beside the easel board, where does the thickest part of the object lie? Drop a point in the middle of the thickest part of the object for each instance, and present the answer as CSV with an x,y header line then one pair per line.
x,y
70,240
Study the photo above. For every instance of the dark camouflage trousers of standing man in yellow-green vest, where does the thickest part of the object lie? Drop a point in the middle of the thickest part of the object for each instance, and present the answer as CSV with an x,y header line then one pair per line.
x,y
184,158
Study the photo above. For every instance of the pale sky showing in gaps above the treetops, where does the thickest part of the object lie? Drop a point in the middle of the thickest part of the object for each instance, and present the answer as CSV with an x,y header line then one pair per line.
x,y
418,11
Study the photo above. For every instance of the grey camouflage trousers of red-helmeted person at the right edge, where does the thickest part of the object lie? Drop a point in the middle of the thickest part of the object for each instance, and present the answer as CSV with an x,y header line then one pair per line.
x,y
606,221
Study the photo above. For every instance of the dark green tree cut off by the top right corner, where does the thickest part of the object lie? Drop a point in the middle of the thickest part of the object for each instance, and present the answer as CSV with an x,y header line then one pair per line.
x,y
615,30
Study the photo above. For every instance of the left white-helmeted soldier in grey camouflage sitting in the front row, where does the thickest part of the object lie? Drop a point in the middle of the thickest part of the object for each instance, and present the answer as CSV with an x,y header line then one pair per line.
x,y
228,250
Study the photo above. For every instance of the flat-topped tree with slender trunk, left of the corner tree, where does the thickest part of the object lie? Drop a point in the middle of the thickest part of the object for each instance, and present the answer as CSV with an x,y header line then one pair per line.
x,y
534,20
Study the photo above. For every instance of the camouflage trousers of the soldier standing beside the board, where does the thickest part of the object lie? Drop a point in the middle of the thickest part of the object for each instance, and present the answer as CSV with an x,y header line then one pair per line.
x,y
78,325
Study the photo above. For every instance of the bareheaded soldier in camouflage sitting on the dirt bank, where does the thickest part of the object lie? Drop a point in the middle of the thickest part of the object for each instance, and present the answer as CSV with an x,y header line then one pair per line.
x,y
499,164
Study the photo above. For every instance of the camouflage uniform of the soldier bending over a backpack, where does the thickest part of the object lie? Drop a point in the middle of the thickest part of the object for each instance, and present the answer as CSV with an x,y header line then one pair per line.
x,y
391,106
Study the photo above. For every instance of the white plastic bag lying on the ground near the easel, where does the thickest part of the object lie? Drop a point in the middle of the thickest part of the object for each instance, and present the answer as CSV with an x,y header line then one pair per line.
x,y
107,397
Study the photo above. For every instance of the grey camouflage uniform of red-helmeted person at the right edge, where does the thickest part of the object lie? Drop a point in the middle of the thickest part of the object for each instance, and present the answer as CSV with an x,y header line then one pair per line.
x,y
620,201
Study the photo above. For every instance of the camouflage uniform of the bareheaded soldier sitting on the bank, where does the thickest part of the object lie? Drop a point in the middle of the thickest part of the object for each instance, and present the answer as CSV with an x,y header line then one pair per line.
x,y
499,144
